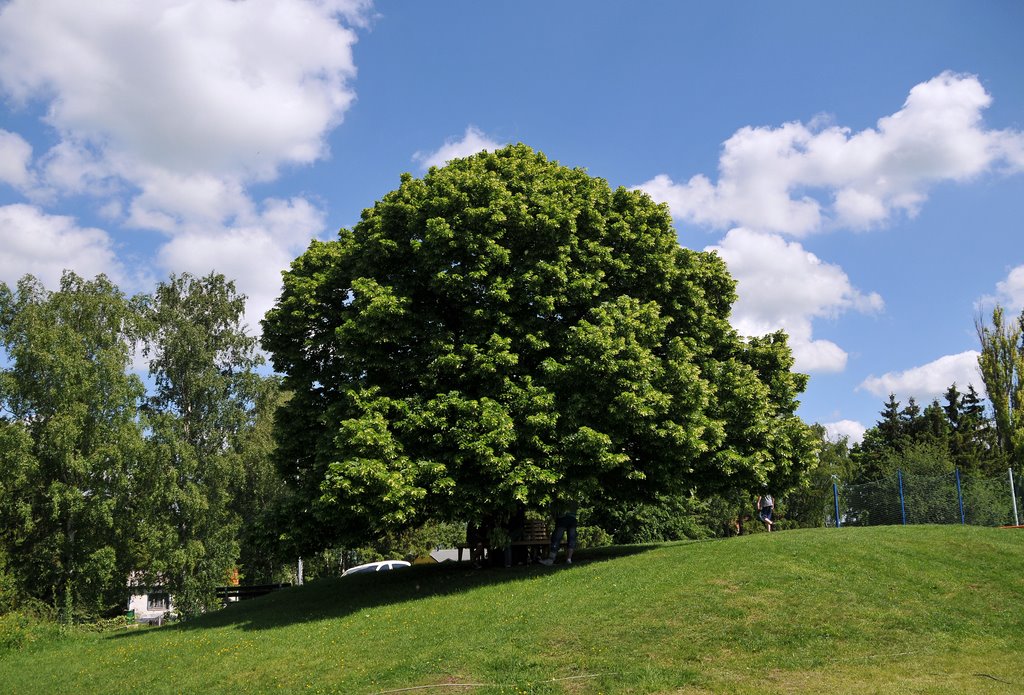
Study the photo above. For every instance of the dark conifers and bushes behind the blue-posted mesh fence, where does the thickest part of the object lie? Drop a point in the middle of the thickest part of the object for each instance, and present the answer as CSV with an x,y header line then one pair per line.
x,y
943,464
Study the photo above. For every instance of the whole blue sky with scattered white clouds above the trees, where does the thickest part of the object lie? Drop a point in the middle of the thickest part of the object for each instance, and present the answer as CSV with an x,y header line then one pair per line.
x,y
860,166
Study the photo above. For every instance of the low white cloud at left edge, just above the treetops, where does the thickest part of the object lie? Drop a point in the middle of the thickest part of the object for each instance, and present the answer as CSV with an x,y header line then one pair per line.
x,y
34,243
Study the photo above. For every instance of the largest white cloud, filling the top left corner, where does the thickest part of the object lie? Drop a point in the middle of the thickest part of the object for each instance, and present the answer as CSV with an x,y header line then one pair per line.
x,y
224,88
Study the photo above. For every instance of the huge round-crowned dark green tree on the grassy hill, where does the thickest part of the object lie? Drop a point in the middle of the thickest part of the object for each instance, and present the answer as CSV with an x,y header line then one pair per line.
x,y
506,328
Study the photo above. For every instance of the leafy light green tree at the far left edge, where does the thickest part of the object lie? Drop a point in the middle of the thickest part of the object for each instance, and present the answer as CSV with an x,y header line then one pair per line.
x,y
70,441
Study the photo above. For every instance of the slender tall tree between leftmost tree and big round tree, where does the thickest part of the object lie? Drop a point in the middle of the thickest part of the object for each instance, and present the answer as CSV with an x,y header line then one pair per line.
x,y
201,416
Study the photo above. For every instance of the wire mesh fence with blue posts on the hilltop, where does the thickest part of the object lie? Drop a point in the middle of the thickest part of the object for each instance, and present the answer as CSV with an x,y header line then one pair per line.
x,y
910,499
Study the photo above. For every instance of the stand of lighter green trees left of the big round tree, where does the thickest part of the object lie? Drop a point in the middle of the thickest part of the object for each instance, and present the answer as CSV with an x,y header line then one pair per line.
x,y
103,486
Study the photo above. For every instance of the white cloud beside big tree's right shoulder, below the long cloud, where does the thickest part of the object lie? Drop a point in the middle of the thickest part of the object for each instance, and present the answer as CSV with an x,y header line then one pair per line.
x,y
783,286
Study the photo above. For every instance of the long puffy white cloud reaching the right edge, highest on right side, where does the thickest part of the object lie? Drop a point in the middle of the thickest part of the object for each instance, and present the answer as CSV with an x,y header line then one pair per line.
x,y
767,176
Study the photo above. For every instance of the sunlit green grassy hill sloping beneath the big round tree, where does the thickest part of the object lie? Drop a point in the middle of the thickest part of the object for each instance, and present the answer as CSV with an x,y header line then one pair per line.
x,y
926,610
